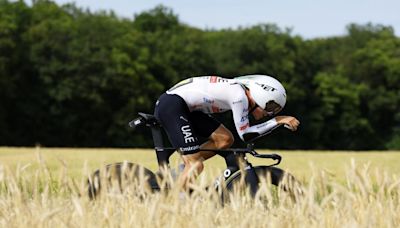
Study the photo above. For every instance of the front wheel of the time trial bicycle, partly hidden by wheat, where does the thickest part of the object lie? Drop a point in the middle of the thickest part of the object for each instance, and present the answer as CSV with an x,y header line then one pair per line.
x,y
276,179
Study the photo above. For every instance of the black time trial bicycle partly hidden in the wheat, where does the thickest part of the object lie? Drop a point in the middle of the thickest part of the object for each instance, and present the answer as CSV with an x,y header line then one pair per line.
x,y
239,172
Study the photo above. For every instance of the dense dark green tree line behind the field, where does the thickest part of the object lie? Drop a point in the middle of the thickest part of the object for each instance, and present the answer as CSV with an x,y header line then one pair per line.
x,y
73,77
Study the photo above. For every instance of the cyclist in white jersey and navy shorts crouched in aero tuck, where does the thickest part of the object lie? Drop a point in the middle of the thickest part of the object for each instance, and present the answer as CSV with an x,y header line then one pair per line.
x,y
184,110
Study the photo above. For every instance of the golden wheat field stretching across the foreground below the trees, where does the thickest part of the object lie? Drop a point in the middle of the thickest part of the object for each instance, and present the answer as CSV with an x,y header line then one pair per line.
x,y
46,187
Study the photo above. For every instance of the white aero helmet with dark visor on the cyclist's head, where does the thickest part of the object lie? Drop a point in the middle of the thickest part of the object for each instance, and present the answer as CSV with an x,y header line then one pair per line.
x,y
267,92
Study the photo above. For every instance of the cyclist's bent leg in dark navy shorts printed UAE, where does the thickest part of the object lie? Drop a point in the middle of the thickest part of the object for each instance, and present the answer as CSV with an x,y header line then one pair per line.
x,y
185,128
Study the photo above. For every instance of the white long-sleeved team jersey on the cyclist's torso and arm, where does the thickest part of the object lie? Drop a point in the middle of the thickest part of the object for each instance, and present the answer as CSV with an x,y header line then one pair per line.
x,y
213,94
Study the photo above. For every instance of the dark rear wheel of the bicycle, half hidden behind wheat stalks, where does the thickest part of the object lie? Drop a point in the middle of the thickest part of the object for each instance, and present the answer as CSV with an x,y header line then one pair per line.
x,y
121,177
